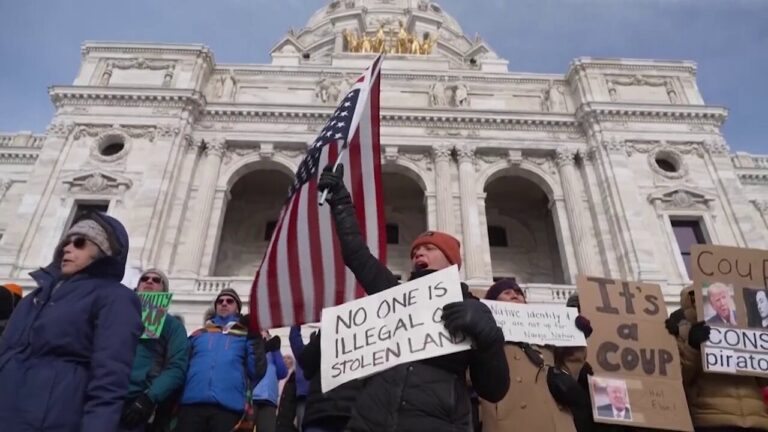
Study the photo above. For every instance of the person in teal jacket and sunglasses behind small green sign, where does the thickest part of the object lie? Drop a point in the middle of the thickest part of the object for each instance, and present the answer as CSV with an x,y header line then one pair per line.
x,y
159,369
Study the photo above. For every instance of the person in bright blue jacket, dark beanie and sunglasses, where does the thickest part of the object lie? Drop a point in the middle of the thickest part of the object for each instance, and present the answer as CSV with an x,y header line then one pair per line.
x,y
223,360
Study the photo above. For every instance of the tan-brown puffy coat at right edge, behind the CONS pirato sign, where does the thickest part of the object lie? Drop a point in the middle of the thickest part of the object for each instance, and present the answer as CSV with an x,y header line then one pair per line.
x,y
717,400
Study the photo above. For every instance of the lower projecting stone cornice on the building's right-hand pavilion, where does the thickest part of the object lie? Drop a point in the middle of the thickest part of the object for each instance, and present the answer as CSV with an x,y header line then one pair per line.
x,y
664,113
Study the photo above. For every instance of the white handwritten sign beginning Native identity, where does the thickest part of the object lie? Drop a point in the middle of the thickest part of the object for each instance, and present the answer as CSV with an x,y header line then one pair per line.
x,y
537,324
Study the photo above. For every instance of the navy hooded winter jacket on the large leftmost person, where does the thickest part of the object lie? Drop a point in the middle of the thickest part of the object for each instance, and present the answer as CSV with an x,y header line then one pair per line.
x,y
65,357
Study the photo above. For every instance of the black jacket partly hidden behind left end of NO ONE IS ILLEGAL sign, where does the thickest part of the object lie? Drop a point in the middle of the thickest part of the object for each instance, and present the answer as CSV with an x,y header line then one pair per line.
x,y
331,409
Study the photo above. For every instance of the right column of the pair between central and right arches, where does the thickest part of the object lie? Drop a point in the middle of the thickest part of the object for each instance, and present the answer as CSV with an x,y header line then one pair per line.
x,y
470,218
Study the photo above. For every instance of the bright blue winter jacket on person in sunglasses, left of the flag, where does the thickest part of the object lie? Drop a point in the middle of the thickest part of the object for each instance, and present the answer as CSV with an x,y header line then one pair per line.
x,y
217,365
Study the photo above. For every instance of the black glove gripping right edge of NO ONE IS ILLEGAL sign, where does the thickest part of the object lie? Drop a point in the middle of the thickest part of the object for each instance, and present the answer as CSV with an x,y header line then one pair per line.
x,y
473,318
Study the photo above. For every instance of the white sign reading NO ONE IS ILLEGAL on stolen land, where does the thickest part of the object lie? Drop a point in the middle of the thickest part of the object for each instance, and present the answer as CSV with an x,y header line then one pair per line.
x,y
398,325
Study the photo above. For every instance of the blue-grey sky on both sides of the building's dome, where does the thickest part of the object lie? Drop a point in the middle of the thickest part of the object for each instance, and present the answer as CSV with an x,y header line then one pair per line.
x,y
728,39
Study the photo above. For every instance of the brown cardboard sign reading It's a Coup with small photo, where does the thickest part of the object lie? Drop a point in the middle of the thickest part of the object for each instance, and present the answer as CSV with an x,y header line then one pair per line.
x,y
630,349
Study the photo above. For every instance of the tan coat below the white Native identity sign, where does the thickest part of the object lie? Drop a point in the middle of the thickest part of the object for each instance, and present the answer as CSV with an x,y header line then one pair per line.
x,y
528,405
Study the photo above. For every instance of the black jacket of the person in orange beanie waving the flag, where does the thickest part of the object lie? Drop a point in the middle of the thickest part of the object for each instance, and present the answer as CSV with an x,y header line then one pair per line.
x,y
429,395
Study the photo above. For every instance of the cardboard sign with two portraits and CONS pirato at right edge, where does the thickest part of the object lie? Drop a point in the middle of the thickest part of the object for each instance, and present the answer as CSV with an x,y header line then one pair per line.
x,y
731,295
